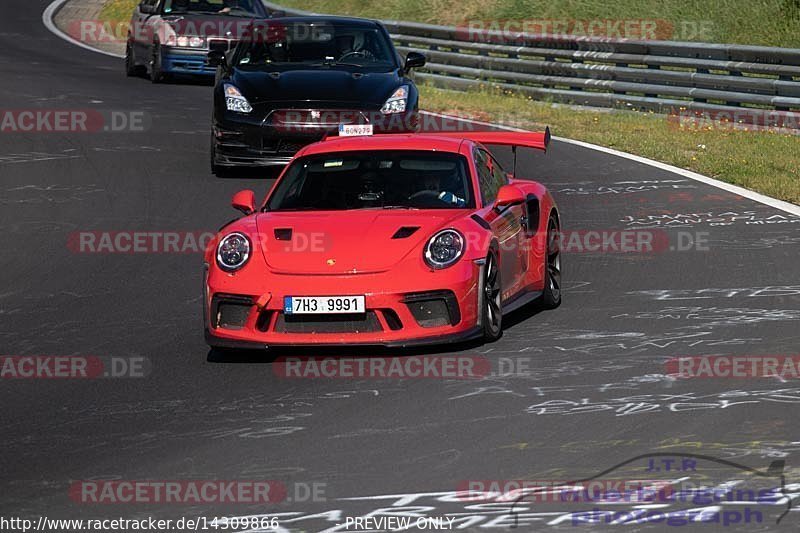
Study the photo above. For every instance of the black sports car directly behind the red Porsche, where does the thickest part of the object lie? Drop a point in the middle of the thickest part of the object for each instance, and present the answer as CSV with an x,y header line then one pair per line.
x,y
292,81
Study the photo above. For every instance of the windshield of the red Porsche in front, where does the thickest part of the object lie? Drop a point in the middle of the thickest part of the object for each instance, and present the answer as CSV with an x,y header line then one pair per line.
x,y
400,179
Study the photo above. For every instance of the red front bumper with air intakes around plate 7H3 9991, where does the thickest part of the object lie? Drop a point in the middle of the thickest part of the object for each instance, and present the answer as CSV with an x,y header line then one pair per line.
x,y
442,307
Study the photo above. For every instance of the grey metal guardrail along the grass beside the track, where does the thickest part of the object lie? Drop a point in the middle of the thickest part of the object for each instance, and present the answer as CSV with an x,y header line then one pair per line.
x,y
663,76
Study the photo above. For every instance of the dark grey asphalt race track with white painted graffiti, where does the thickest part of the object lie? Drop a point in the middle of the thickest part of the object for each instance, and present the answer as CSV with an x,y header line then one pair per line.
x,y
594,393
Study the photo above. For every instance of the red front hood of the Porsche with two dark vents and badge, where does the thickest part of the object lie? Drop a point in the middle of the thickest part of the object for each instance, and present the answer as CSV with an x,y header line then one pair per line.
x,y
349,242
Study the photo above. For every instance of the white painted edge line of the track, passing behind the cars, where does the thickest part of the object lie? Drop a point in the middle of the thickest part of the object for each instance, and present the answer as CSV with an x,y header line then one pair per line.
x,y
47,18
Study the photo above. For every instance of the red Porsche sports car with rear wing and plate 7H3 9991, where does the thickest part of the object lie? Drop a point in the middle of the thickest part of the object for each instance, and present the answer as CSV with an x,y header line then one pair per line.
x,y
390,240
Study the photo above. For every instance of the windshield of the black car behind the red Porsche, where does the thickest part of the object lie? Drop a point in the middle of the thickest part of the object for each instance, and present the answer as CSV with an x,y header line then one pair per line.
x,y
275,44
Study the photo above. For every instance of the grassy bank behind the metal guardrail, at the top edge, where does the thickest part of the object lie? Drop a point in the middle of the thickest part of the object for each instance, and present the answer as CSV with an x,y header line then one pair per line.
x,y
763,22
